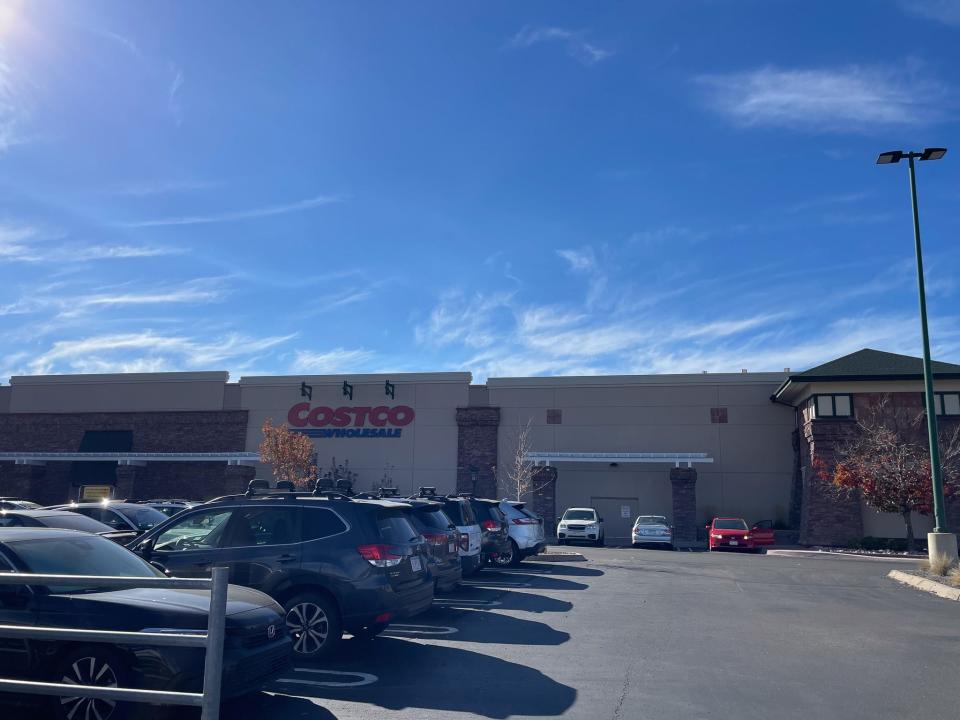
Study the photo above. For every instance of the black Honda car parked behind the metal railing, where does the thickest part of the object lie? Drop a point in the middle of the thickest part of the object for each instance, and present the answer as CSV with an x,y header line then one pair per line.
x,y
256,650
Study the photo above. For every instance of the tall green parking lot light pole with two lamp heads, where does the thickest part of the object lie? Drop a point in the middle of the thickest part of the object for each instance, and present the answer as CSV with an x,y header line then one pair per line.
x,y
948,543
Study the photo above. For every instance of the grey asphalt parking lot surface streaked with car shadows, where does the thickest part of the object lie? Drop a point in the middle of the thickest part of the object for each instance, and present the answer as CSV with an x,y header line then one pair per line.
x,y
649,634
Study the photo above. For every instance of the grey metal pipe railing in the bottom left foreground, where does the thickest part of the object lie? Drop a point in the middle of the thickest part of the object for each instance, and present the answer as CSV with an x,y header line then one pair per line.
x,y
212,640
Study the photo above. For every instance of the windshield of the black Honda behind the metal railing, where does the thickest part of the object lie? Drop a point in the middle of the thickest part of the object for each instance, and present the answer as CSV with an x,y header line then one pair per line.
x,y
79,555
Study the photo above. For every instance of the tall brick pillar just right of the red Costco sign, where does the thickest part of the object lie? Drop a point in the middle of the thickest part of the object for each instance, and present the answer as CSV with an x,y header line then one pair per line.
x,y
477,450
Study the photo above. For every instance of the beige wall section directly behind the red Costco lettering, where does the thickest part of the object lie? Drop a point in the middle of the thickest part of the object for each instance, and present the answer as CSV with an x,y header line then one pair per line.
x,y
424,454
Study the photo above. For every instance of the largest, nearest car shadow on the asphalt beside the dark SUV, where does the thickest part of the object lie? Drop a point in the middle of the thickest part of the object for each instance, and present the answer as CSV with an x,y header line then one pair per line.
x,y
435,677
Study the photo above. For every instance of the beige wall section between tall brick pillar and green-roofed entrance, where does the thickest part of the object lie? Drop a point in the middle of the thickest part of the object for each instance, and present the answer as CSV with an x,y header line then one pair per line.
x,y
752,452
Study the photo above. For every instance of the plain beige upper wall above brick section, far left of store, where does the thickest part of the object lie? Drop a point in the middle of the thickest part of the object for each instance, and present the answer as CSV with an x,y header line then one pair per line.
x,y
135,392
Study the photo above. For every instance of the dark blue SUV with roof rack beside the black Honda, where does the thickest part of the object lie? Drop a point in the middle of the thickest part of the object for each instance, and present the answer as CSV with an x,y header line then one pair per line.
x,y
333,562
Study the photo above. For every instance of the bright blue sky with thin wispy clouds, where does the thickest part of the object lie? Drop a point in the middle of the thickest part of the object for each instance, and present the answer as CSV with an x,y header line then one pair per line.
x,y
506,188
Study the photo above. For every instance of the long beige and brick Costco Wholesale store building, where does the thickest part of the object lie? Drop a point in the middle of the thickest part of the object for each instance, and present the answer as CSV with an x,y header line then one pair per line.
x,y
685,446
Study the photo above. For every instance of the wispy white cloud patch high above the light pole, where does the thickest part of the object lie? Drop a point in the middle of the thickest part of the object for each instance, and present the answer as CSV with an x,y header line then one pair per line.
x,y
854,98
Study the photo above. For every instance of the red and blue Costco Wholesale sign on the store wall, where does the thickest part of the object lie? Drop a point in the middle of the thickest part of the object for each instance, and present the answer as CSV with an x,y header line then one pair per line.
x,y
349,422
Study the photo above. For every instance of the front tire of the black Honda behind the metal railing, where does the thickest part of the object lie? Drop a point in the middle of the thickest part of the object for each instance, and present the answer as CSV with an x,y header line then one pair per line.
x,y
91,665
